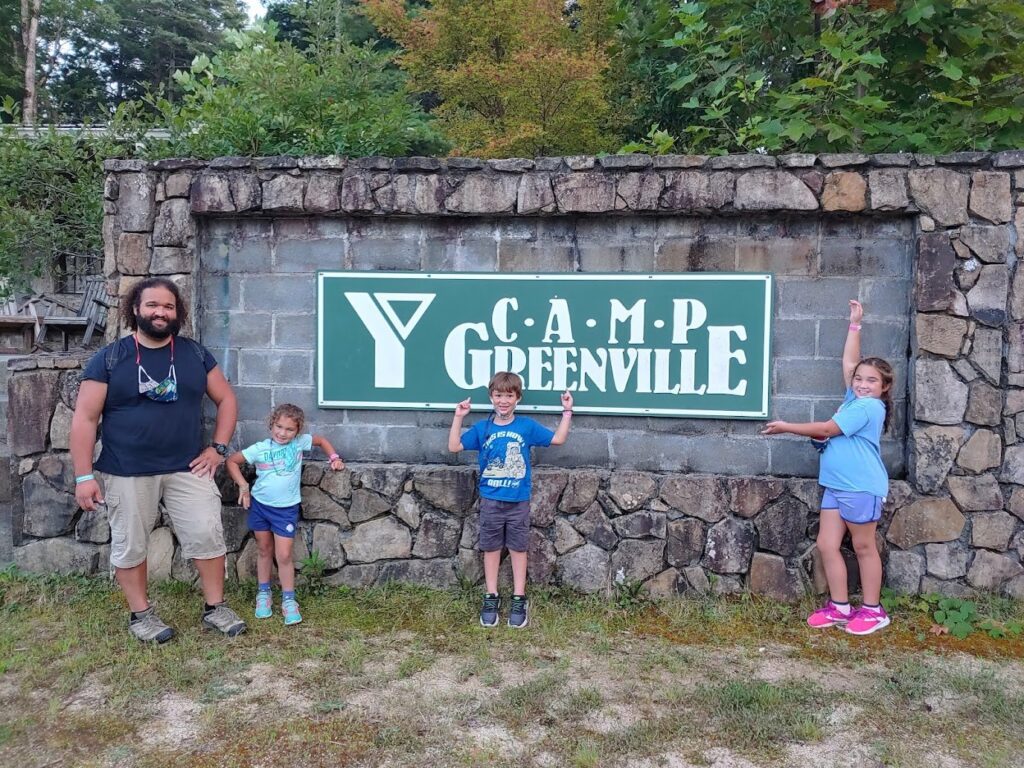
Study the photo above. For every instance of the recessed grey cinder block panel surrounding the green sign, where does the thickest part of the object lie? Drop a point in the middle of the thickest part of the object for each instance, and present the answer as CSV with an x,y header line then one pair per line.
x,y
259,293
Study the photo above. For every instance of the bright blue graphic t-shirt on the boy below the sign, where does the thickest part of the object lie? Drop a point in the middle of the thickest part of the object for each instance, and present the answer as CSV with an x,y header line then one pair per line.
x,y
504,456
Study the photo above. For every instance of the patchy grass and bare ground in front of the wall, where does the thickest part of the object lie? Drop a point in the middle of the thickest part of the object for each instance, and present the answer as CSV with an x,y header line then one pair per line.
x,y
401,676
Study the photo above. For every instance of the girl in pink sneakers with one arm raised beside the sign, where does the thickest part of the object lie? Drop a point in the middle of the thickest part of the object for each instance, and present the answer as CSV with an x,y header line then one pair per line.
x,y
856,484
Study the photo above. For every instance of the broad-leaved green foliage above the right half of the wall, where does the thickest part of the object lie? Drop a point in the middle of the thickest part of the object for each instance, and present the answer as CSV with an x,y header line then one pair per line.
x,y
907,75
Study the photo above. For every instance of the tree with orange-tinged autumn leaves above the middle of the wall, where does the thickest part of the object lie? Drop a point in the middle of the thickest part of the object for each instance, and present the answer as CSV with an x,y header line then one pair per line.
x,y
513,77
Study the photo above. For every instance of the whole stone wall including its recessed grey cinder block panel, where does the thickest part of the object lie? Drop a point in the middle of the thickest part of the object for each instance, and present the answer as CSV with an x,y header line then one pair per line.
x,y
929,244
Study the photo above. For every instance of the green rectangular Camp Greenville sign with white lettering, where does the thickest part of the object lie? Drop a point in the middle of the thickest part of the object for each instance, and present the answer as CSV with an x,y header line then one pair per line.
x,y
686,346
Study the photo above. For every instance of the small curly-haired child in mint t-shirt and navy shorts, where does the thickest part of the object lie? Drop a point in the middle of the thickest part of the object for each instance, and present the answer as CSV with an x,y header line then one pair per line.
x,y
274,501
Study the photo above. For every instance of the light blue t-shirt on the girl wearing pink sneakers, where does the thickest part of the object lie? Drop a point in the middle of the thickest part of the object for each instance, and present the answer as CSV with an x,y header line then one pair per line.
x,y
854,460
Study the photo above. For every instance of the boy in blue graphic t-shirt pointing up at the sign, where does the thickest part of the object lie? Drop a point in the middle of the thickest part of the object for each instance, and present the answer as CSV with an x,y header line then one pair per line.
x,y
504,441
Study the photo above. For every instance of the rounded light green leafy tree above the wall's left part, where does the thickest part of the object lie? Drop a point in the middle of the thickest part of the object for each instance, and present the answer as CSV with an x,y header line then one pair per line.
x,y
265,97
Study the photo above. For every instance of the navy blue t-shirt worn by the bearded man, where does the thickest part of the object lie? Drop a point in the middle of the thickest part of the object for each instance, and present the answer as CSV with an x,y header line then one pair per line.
x,y
142,437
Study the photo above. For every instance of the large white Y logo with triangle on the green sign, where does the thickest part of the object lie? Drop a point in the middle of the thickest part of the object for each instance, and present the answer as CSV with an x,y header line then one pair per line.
x,y
376,311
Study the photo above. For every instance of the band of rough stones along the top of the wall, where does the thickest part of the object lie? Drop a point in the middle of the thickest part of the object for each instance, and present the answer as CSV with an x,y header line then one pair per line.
x,y
618,185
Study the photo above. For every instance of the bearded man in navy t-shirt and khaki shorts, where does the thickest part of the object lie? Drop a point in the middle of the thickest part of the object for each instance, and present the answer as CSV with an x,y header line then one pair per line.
x,y
148,389
